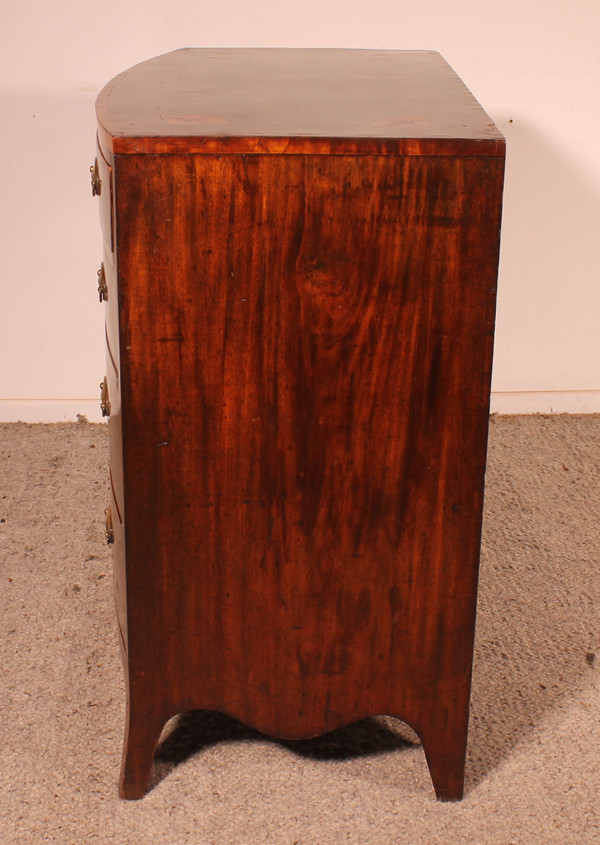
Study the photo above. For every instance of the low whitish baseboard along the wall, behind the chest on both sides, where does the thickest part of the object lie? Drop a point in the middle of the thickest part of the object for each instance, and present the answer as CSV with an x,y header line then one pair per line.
x,y
503,402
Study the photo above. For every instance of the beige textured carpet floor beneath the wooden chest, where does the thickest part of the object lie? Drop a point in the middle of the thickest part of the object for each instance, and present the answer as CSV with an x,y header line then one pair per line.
x,y
533,768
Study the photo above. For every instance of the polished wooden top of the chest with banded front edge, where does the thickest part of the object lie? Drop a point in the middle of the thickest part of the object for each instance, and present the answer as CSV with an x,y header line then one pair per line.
x,y
294,101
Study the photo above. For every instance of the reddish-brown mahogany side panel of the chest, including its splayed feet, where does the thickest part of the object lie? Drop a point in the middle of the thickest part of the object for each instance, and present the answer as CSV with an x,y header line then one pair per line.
x,y
298,450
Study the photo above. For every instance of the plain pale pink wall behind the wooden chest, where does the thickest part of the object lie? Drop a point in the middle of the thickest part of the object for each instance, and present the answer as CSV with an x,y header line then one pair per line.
x,y
533,64
